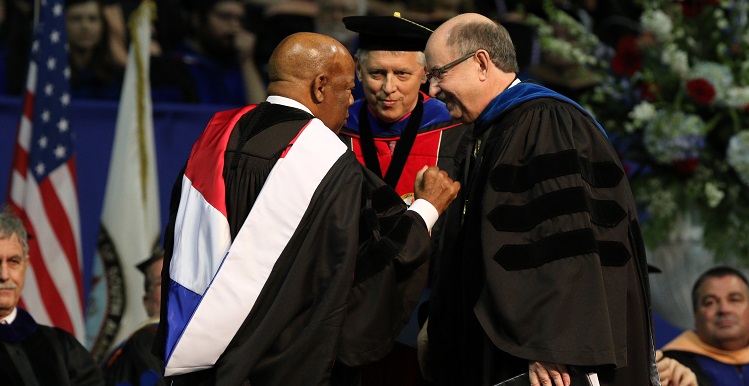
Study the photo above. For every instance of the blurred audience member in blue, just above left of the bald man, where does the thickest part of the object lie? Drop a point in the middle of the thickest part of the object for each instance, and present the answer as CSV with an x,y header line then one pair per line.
x,y
219,53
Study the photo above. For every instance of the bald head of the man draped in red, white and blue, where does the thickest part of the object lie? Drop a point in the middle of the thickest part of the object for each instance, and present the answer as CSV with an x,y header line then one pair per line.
x,y
317,71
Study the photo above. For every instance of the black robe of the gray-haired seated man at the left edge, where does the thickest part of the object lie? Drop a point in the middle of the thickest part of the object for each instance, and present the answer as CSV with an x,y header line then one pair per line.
x,y
32,354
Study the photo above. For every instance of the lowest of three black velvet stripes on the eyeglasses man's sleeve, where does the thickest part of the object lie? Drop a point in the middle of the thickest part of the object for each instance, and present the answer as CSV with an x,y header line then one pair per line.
x,y
560,246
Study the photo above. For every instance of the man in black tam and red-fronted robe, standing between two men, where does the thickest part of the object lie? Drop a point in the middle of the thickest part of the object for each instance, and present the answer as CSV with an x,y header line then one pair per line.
x,y
395,130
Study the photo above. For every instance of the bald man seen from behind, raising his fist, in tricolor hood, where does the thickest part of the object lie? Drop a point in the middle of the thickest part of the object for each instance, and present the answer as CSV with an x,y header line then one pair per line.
x,y
288,262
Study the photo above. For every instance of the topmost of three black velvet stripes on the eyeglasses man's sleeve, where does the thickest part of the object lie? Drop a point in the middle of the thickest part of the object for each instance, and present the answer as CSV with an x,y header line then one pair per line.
x,y
516,179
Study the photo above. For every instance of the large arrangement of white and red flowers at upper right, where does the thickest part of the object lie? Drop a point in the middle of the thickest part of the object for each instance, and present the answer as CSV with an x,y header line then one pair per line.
x,y
675,102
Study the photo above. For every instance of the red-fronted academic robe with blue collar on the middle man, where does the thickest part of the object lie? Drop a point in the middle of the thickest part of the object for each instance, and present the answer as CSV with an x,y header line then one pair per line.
x,y
396,152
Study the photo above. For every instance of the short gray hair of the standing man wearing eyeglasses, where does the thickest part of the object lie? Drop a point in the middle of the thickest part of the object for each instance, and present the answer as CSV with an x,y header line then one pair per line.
x,y
472,36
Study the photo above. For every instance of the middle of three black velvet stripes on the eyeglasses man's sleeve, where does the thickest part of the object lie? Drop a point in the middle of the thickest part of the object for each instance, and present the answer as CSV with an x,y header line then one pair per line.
x,y
522,218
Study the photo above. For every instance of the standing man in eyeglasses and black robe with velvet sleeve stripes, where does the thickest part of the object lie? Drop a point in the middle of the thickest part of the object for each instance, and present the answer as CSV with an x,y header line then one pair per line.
x,y
549,278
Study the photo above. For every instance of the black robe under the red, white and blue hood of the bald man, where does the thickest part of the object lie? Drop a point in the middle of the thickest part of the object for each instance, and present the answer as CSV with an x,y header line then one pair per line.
x,y
343,287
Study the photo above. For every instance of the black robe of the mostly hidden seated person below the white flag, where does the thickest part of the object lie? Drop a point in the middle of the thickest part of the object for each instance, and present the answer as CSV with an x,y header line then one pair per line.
x,y
132,363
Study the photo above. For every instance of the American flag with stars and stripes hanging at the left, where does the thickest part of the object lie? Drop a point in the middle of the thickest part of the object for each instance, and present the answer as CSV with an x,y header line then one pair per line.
x,y
43,181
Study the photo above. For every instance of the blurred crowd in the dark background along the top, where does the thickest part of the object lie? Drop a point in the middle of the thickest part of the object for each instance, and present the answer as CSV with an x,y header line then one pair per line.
x,y
216,51
